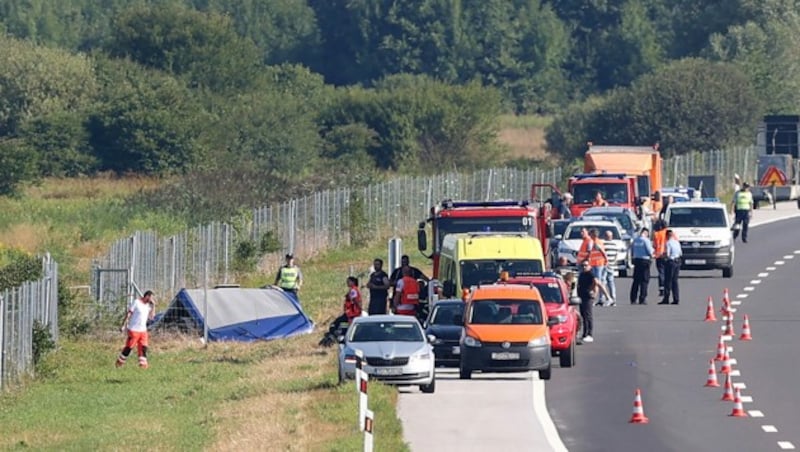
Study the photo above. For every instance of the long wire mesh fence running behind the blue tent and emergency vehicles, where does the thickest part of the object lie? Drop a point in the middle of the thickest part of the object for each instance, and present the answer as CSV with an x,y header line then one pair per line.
x,y
328,219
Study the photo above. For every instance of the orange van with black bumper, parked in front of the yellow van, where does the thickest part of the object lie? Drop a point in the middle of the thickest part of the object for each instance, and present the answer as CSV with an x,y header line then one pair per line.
x,y
506,329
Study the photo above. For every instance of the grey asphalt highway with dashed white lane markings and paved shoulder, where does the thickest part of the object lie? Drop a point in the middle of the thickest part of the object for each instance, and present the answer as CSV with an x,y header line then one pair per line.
x,y
662,350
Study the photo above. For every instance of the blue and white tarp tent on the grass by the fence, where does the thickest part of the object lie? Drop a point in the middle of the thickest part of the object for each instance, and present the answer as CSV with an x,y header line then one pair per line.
x,y
236,314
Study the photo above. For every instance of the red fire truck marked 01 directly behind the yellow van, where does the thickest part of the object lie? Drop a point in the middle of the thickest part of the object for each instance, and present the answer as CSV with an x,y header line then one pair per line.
x,y
449,217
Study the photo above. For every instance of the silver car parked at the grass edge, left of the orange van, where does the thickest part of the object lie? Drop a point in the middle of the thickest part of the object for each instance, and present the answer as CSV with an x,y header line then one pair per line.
x,y
395,351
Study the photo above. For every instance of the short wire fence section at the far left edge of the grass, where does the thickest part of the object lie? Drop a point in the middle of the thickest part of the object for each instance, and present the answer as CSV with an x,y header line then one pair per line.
x,y
20,308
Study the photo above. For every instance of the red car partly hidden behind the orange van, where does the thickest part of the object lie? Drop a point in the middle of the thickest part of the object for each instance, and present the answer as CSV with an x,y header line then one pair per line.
x,y
556,295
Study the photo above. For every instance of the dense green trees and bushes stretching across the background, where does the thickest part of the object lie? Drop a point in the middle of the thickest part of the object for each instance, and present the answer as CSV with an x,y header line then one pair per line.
x,y
291,95
